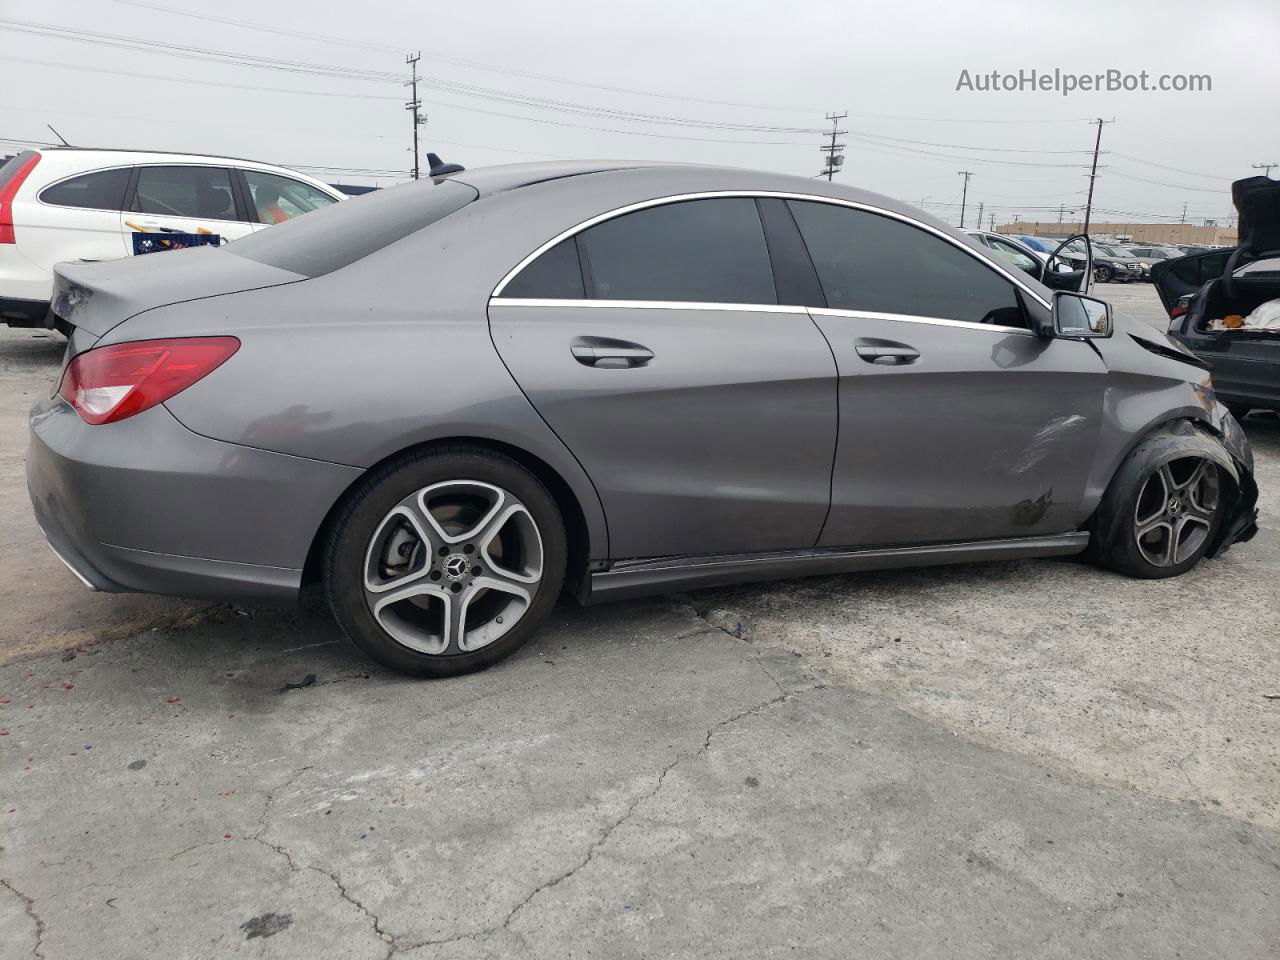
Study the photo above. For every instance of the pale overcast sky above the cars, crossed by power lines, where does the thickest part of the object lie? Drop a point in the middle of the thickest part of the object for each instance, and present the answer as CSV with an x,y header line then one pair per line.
x,y
742,63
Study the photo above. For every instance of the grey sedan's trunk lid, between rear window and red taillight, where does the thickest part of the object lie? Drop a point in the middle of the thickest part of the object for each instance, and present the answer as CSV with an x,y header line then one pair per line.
x,y
97,298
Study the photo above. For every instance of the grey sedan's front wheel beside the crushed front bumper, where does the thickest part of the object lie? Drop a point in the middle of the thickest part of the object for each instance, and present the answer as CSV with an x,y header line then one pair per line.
x,y
1165,515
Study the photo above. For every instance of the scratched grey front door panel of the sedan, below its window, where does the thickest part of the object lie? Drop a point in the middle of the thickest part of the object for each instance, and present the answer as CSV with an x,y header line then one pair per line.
x,y
989,435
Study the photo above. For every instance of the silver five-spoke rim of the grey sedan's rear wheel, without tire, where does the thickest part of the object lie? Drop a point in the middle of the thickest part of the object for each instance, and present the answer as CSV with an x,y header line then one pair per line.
x,y
454,568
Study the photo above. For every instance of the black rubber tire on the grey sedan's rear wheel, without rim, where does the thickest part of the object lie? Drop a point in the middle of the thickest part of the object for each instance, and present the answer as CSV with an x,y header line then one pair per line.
x,y
365,514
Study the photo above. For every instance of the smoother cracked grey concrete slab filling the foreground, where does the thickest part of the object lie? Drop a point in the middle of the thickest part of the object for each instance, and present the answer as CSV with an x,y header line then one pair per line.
x,y
634,784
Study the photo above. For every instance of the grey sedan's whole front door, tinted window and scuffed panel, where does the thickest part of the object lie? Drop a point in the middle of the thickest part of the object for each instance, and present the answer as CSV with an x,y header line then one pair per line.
x,y
957,423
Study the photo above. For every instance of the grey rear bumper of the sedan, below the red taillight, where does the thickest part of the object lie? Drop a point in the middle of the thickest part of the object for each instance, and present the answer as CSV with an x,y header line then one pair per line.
x,y
148,506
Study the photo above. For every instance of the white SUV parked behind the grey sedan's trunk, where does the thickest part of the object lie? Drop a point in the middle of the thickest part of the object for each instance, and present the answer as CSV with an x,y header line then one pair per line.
x,y
75,204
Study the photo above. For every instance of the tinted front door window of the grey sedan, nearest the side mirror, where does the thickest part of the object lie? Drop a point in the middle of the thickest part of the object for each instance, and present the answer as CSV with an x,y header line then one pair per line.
x,y
877,264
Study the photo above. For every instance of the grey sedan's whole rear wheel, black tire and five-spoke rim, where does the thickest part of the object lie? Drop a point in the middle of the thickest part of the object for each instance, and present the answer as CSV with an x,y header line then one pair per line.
x,y
446,563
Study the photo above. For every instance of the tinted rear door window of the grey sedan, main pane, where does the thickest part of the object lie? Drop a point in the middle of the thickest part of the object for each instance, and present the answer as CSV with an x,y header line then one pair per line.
x,y
694,252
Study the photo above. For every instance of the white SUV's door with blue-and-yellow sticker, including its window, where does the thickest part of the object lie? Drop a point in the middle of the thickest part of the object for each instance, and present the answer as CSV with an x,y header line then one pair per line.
x,y
170,203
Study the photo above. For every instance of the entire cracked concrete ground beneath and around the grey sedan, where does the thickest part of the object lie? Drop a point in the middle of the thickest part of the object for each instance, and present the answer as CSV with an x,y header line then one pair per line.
x,y
1027,760
